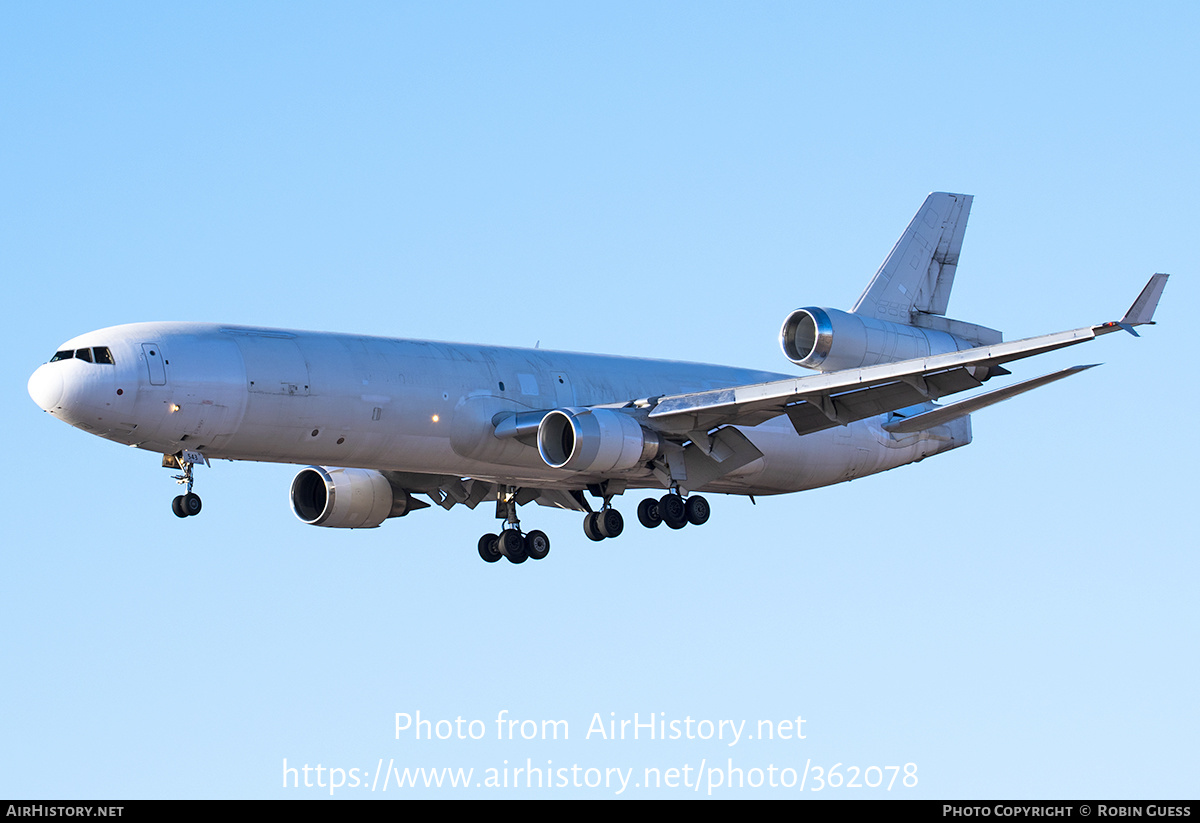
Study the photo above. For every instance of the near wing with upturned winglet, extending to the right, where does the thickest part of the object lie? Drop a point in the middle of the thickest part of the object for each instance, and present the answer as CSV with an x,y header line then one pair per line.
x,y
821,401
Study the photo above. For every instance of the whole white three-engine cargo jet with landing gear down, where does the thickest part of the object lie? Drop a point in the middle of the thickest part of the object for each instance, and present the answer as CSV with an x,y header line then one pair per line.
x,y
382,420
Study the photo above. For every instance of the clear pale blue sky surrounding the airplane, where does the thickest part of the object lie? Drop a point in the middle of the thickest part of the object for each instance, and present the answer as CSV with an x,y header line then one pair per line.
x,y
1017,618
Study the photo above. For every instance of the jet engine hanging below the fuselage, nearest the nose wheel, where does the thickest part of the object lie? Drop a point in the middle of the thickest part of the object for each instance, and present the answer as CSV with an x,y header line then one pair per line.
x,y
345,498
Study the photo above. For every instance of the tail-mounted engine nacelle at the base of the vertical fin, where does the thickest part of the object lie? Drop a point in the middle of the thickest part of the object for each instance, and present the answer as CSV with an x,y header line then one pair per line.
x,y
829,340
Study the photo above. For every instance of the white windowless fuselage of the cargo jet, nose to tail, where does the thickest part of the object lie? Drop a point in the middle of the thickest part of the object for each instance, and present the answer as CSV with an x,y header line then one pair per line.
x,y
416,407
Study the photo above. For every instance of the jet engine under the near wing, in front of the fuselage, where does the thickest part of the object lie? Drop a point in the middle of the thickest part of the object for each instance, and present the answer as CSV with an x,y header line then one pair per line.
x,y
595,441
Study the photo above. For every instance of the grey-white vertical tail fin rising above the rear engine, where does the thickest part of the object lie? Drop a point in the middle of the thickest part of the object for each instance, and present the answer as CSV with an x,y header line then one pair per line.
x,y
917,277
